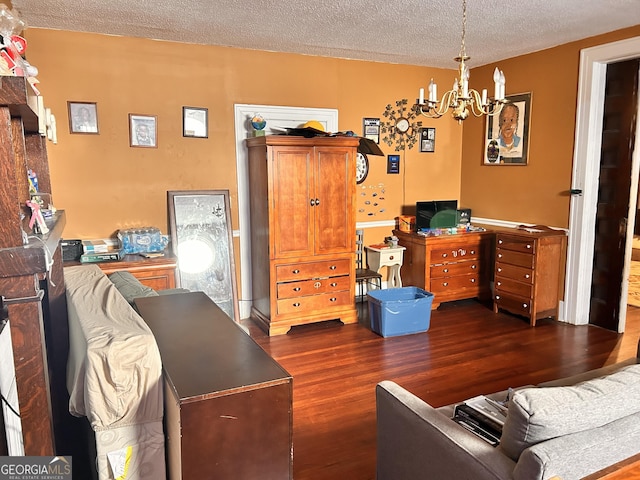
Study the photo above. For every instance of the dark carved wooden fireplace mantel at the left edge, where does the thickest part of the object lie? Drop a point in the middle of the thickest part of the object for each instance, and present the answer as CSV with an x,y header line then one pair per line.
x,y
31,278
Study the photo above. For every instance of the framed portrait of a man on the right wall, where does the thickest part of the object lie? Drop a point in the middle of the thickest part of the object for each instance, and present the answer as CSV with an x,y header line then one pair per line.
x,y
507,135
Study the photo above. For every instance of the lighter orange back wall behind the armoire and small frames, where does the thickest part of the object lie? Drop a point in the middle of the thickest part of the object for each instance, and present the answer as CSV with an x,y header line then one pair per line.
x,y
104,184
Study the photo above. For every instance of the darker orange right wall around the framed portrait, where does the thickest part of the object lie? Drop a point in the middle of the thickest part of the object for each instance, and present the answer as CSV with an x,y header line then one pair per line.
x,y
538,192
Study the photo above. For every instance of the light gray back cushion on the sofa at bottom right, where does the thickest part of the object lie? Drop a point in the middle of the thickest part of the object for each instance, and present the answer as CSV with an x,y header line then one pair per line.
x,y
539,414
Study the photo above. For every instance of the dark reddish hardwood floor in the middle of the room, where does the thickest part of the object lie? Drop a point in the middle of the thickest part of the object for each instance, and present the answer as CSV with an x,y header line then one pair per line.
x,y
467,351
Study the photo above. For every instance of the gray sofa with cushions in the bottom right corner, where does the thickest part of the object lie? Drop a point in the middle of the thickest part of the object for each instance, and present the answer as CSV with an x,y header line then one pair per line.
x,y
563,429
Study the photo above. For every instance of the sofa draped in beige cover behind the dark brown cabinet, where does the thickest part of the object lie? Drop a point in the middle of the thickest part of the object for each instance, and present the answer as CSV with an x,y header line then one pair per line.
x,y
114,374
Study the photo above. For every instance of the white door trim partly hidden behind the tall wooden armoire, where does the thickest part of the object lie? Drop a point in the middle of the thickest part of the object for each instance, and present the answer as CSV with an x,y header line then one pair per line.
x,y
275,116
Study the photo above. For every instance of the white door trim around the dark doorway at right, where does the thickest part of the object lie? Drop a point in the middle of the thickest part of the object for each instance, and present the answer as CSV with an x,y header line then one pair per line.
x,y
586,167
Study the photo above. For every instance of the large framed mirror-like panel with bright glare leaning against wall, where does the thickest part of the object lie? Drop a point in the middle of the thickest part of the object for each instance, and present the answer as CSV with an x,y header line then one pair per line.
x,y
201,239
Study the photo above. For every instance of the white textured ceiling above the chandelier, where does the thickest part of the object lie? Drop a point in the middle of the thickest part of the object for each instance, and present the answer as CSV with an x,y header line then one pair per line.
x,y
415,32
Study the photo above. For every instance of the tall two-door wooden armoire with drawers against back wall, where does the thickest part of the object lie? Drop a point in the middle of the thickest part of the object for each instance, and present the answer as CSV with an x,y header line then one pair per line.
x,y
303,210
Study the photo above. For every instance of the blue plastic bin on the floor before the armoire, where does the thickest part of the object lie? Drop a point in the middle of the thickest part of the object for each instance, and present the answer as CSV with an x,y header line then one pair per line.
x,y
399,311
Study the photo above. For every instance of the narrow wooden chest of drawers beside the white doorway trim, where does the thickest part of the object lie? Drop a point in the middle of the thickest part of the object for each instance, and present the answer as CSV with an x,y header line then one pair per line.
x,y
528,271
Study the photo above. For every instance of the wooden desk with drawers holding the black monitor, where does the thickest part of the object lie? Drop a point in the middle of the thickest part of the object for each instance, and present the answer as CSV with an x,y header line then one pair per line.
x,y
452,267
